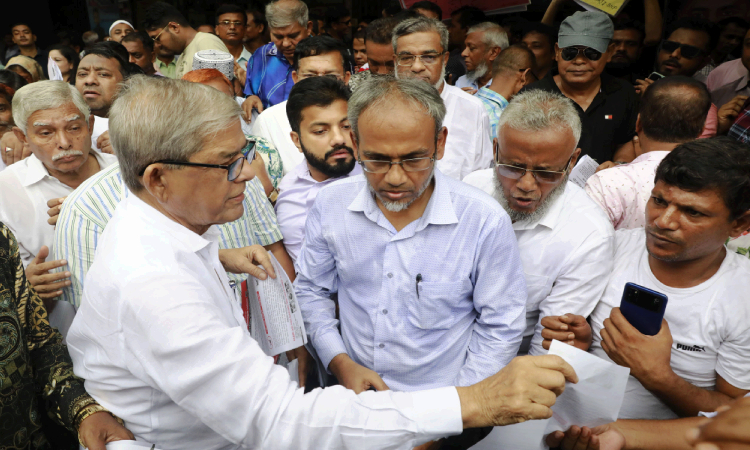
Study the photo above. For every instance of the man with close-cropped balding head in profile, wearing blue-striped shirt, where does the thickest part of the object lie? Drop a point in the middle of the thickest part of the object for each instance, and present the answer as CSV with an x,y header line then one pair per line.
x,y
512,70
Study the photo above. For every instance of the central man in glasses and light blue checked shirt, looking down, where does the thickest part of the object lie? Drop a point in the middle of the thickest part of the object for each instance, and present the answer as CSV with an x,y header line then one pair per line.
x,y
425,299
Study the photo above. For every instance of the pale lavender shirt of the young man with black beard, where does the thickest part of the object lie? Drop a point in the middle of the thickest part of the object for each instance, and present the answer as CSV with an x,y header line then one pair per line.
x,y
297,192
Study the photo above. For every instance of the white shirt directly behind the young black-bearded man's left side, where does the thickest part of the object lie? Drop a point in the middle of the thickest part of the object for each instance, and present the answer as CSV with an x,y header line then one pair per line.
x,y
273,125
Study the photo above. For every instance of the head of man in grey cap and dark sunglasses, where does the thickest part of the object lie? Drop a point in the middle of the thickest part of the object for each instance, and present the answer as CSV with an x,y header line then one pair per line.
x,y
583,47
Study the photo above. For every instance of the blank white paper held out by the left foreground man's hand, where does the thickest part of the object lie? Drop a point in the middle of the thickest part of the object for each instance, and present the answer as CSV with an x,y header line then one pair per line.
x,y
596,398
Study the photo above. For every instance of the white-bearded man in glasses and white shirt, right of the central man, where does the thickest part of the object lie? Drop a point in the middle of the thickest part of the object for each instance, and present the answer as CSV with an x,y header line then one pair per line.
x,y
565,240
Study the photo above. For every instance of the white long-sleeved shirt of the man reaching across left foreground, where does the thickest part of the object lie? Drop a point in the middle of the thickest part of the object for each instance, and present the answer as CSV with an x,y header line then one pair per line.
x,y
161,342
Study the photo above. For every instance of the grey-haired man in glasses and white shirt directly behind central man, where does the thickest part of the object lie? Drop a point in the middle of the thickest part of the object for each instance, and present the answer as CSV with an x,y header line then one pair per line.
x,y
420,46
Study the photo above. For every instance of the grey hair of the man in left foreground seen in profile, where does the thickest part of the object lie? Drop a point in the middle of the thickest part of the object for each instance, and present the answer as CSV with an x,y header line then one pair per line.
x,y
156,118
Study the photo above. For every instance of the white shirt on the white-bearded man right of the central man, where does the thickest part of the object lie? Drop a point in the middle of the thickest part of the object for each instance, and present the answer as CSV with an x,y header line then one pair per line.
x,y
567,257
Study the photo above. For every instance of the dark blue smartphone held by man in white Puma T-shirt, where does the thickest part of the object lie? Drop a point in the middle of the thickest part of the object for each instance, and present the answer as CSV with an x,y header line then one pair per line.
x,y
644,308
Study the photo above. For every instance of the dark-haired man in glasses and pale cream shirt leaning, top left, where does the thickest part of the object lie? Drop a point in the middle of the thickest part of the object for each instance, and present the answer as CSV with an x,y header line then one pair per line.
x,y
169,28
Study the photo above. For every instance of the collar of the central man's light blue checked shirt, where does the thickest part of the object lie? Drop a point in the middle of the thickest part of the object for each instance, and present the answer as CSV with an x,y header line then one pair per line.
x,y
439,210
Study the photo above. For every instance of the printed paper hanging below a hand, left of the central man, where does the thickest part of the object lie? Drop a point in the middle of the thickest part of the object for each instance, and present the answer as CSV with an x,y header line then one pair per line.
x,y
273,311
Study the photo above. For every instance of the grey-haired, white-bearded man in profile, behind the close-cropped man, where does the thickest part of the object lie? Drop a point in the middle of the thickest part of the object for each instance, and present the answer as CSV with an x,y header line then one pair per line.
x,y
484,42
